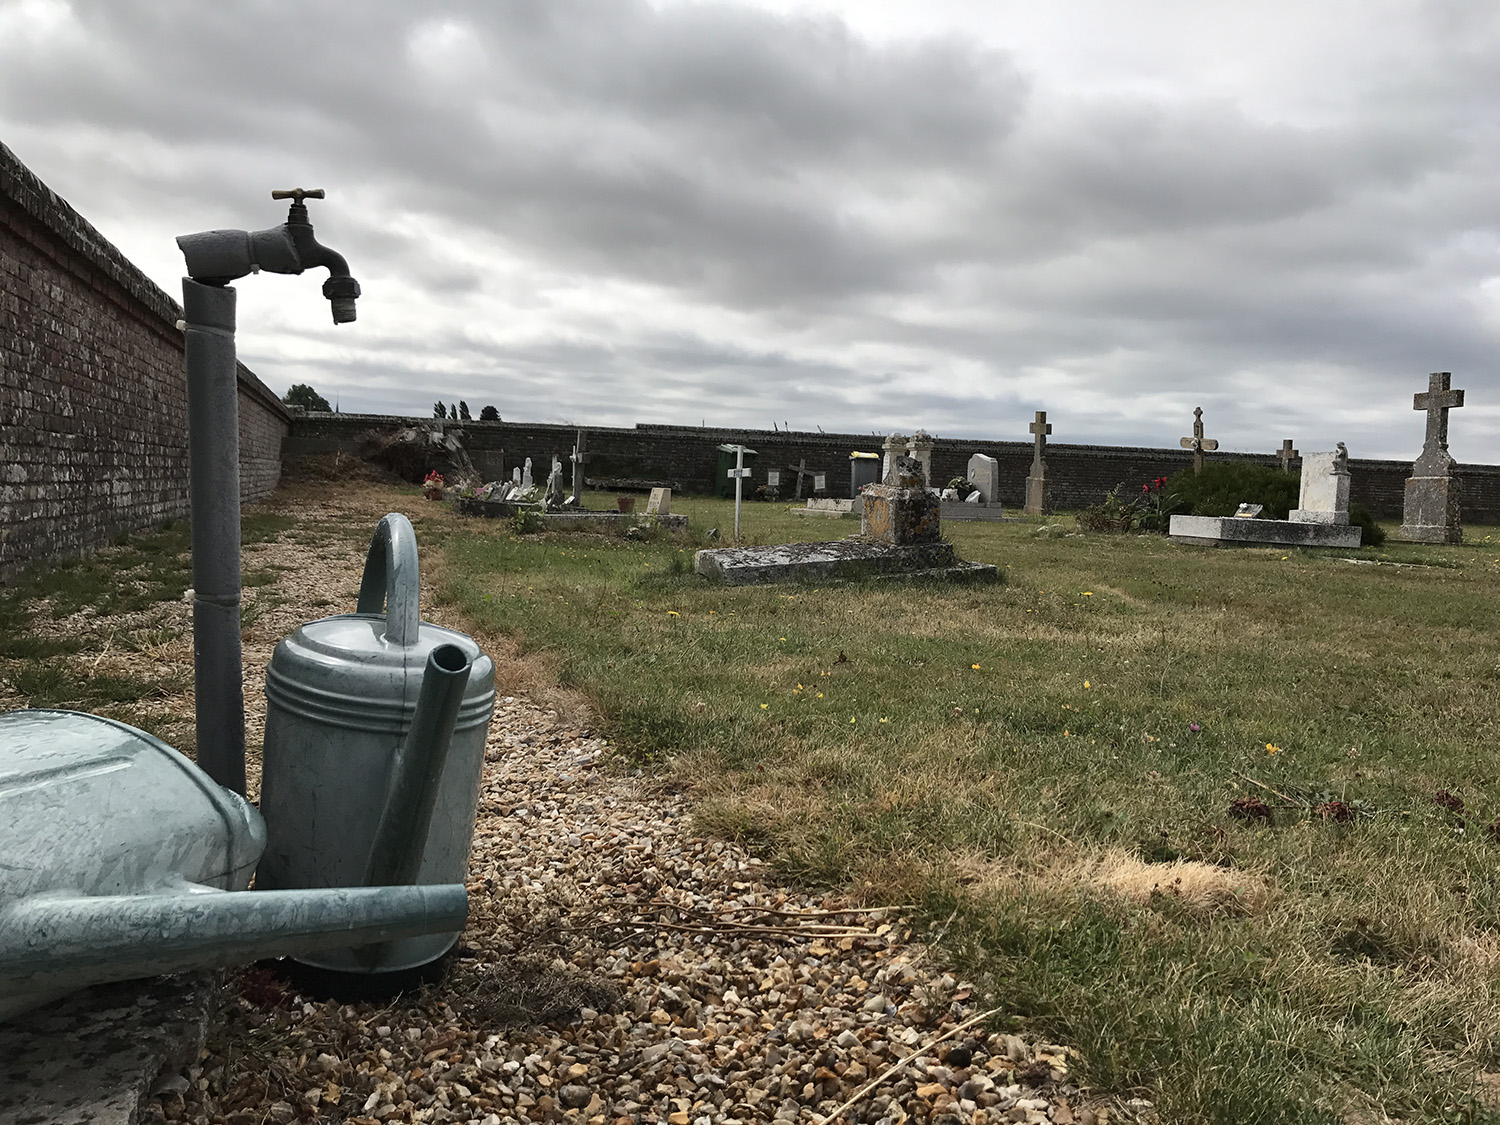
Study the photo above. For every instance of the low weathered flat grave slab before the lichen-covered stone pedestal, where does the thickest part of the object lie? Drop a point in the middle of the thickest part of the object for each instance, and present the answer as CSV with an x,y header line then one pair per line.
x,y
844,560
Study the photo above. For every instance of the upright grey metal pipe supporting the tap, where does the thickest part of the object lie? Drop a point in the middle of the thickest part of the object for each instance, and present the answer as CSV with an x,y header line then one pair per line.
x,y
214,448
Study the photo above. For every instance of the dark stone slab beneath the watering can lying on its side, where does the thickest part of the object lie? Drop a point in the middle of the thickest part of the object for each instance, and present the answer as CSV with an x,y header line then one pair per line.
x,y
97,1055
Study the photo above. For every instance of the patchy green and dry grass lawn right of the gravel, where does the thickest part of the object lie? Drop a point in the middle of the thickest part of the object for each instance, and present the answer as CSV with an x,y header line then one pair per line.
x,y
1220,820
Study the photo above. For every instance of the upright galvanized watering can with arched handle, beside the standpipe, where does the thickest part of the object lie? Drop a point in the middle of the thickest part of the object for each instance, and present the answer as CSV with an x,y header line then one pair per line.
x,y
376,731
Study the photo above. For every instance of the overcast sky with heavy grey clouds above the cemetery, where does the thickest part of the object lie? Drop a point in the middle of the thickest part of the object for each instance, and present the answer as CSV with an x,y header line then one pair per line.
x,y
859,215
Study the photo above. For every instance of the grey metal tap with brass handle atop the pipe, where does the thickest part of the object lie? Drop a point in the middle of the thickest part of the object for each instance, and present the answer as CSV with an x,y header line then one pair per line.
x,y
220,257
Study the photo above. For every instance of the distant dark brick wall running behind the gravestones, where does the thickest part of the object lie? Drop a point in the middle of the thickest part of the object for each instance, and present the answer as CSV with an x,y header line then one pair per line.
x,y
688,455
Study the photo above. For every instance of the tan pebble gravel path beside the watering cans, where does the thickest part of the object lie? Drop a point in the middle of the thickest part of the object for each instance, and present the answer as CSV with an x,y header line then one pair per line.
x,y
617,968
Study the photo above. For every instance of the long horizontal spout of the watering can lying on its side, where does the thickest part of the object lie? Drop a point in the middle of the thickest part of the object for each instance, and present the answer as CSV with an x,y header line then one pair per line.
x,y
55,944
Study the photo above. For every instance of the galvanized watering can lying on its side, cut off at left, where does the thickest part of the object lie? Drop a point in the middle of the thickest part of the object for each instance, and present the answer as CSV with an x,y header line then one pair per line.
x,y
116,856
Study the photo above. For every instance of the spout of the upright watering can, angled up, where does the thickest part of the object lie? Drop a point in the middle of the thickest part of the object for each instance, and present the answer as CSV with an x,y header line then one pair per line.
x,y
418,772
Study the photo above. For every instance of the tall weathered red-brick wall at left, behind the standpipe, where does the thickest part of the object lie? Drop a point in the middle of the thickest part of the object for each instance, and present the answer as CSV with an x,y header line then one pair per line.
x,y
94,415
